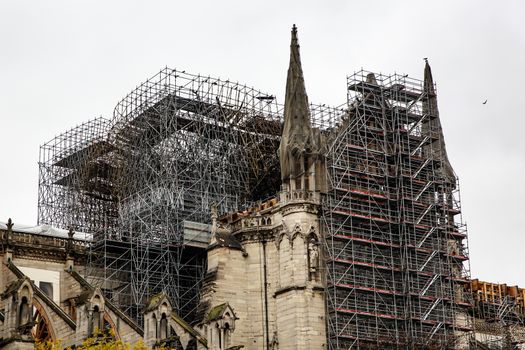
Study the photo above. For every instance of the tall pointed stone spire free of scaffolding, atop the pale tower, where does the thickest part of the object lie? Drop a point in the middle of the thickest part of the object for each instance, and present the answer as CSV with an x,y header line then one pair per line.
x,y
297,132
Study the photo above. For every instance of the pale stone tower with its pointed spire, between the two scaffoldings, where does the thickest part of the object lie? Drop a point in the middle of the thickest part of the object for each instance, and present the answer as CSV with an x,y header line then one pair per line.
x,y
264,263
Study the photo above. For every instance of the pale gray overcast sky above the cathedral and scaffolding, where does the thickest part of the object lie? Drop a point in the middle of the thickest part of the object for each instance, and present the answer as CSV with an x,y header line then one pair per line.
x,y
64,62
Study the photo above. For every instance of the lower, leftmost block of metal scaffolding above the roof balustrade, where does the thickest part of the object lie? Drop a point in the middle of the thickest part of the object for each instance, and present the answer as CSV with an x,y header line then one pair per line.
x,y
73,187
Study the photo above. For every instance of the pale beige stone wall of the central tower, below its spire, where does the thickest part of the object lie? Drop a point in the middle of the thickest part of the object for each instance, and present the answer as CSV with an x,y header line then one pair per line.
x,y
289,313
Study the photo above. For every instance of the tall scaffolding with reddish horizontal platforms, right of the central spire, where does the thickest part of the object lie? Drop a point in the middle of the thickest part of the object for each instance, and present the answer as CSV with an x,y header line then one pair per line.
x,y
397,260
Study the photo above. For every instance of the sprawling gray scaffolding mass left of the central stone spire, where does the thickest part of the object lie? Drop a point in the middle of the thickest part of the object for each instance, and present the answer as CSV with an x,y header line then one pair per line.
x,y
143,182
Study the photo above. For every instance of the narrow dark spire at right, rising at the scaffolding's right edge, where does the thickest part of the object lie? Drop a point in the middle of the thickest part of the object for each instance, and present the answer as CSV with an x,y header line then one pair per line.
x,y
432,125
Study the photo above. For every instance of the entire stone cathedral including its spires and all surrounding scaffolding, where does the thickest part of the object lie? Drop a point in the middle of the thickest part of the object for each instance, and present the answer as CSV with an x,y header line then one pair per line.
x,y
351,237
